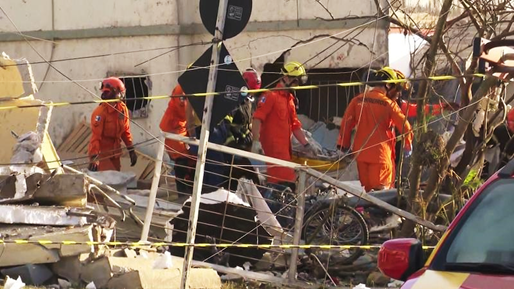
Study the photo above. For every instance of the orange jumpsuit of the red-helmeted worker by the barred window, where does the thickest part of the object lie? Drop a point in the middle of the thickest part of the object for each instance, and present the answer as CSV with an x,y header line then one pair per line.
x,y
110,124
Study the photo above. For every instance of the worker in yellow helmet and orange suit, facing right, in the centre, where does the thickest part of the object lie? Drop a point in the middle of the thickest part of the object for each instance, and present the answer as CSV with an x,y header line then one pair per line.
x,y
275,121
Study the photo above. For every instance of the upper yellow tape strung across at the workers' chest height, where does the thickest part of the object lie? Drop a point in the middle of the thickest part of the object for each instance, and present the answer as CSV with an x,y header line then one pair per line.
x,y
306,87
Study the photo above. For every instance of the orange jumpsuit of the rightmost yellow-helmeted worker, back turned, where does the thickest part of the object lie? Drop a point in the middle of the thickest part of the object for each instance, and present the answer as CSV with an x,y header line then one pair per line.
x,y
374,115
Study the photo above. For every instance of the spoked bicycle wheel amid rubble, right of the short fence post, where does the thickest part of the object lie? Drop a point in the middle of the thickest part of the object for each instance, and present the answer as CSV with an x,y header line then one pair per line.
x,y
332,224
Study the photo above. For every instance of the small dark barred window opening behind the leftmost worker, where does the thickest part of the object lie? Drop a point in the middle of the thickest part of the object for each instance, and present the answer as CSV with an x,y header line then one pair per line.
x,y
137,88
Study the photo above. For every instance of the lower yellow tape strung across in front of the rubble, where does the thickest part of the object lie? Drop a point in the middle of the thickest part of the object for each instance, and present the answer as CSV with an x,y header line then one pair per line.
x,y
198,245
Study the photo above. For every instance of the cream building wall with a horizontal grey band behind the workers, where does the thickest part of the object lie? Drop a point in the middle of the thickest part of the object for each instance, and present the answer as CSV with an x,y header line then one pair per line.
x,y
92,27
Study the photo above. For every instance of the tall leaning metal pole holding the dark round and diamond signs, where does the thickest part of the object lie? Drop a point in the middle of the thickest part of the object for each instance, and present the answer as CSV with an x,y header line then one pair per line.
x,y
204,138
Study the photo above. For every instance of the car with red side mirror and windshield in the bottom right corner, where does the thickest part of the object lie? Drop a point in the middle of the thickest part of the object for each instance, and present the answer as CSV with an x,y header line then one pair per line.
x,y
477,250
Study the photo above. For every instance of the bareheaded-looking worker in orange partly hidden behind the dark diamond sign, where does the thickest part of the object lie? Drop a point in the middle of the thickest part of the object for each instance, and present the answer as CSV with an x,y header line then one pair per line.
x,y
174,121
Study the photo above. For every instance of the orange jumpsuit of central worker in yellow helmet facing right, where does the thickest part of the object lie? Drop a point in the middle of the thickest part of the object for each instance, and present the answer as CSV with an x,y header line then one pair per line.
x,y
277,112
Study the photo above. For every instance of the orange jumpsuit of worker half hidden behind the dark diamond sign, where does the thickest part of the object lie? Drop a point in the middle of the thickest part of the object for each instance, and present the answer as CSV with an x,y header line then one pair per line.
x,y
174,121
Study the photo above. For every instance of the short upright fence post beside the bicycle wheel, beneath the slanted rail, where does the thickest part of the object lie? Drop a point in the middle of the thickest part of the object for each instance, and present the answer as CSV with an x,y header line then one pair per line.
x,y
297,225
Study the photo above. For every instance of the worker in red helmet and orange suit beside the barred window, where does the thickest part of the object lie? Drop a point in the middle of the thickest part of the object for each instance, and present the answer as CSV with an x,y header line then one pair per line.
x,y
110,125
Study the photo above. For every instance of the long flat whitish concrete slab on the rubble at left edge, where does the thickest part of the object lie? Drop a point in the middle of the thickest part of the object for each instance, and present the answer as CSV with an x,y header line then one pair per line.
x,y
42,215
